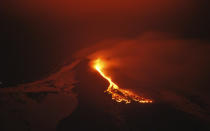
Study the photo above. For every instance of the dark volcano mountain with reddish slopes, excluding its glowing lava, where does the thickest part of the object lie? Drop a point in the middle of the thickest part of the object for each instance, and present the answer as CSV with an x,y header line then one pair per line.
x,y
53,106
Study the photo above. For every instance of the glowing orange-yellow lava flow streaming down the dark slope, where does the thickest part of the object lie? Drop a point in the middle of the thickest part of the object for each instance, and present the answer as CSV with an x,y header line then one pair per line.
x,y
118,94
